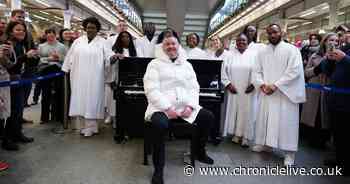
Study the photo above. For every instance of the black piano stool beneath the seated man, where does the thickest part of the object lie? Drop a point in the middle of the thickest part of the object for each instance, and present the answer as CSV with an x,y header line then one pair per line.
x,y
174,126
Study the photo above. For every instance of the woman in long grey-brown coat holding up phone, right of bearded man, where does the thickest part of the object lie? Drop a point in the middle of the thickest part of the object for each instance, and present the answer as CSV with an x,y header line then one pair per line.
x,y
315,113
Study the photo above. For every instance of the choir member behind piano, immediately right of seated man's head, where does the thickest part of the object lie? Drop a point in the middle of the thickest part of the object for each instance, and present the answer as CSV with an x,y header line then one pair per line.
x,y
193,52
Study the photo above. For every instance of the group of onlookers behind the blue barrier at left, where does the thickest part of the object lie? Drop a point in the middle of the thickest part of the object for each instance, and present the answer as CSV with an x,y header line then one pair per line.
x,y
21,58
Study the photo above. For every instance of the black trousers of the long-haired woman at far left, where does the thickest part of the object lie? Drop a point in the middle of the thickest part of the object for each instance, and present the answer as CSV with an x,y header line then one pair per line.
x,y
13,127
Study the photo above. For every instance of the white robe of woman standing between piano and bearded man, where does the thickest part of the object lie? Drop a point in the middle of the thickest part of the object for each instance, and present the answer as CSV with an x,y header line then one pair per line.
x,y
240,107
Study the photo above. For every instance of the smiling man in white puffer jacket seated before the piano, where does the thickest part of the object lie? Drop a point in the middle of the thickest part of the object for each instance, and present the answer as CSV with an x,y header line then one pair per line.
x,y
172,92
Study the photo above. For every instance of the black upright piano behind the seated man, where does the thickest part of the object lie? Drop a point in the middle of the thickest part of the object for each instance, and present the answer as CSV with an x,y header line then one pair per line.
x,y
131,102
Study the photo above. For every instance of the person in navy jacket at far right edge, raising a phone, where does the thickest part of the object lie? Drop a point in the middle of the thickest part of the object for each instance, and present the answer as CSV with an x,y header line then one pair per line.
x,y
336,66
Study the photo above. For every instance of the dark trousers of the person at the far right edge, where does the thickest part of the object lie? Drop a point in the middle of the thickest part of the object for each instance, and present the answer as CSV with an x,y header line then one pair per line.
x,y
341,123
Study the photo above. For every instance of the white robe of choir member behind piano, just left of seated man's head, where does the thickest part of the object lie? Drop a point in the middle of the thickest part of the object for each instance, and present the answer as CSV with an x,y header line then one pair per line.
x,y
145,46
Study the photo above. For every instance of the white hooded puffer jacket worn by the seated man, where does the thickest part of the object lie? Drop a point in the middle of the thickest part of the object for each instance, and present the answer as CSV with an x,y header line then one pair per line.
x,y
171,84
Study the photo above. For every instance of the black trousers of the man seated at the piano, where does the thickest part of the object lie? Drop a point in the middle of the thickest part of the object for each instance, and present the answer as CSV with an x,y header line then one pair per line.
x,y
160,124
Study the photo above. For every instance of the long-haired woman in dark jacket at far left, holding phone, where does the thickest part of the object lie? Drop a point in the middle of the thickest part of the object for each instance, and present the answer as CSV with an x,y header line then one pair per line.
x,y
17,56
